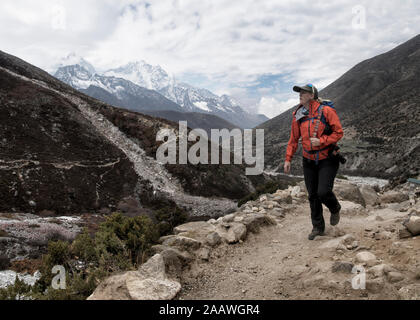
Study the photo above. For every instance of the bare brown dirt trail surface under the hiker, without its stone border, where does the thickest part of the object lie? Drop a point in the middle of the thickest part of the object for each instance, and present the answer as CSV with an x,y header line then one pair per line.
x,y
281,263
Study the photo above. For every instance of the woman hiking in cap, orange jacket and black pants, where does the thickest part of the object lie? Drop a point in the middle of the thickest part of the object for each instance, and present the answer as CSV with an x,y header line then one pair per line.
x,y
311,121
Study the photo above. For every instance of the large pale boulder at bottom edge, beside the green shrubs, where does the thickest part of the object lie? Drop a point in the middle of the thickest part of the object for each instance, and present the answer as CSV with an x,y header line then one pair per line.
x,y
150,282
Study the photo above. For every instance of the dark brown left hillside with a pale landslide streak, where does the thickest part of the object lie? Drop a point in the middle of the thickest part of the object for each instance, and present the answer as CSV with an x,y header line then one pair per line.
x,y
66,153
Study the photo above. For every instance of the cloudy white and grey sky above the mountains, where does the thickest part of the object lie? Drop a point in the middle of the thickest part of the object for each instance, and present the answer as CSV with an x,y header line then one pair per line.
x,y
252,50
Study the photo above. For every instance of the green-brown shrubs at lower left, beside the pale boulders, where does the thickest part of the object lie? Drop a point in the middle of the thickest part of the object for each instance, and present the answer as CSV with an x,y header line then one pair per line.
x,y
121,244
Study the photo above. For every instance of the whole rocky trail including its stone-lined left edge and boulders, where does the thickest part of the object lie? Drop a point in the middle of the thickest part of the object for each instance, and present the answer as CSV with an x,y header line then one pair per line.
x,y
262,252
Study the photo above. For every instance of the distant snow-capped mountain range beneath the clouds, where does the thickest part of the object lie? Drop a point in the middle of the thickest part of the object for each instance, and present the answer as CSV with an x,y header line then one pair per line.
x,y
132,77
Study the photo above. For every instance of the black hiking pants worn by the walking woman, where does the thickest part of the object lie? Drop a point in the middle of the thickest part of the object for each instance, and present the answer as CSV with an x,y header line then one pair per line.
x,y
319,180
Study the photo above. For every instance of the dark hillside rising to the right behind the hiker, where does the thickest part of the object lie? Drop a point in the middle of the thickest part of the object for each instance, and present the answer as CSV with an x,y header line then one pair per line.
x,y
378,102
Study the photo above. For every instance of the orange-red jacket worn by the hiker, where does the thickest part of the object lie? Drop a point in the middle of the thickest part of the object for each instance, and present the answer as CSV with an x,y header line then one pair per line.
x,y
306,129
